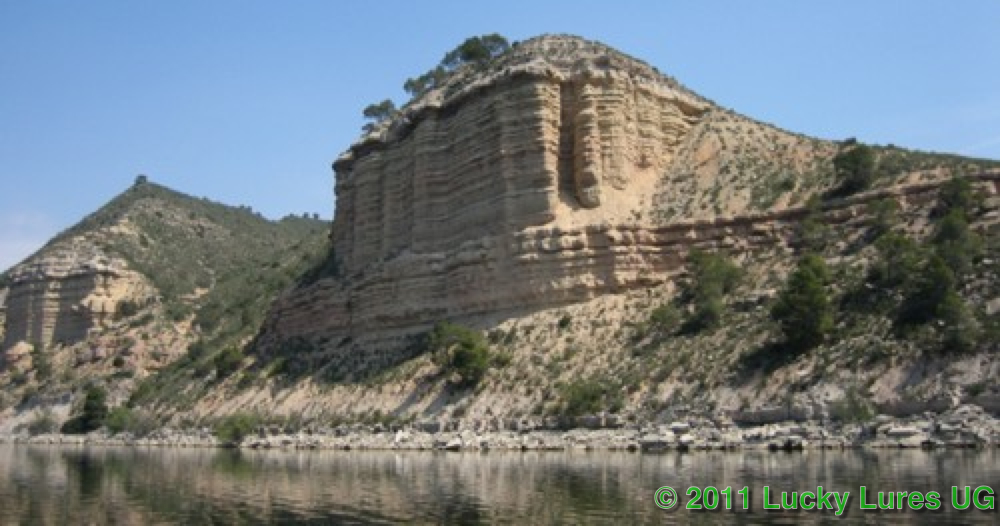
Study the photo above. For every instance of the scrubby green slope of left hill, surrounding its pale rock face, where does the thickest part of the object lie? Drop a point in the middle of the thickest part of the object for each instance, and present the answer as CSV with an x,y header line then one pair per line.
x,y
215,269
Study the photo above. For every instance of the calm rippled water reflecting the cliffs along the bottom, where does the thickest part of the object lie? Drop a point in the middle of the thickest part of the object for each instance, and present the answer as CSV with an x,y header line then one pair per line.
x,y
60,485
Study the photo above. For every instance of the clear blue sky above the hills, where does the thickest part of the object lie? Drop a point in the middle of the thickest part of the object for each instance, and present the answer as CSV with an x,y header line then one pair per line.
x,y
248,102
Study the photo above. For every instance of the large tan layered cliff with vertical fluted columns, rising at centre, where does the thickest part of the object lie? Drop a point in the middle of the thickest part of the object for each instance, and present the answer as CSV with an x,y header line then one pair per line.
x,y
526,184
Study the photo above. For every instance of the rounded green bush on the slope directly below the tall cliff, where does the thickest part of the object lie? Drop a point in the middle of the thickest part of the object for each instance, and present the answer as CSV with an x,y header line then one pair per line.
x,y
461,351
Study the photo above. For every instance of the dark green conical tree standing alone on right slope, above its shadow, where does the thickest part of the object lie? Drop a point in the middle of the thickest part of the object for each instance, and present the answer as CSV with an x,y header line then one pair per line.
x,y
803,308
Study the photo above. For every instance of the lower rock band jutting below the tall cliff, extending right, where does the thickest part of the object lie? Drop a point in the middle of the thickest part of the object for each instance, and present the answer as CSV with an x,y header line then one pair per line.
x,y
364,319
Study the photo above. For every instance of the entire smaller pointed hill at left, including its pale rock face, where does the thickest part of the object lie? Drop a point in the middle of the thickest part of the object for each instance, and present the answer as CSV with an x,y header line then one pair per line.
x,y
134,285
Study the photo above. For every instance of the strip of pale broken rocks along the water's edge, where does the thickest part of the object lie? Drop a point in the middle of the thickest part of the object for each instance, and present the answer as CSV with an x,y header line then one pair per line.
x,y
967,426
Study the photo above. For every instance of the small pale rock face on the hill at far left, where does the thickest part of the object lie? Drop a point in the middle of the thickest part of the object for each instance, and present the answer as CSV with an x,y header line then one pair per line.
x,y
69,290
